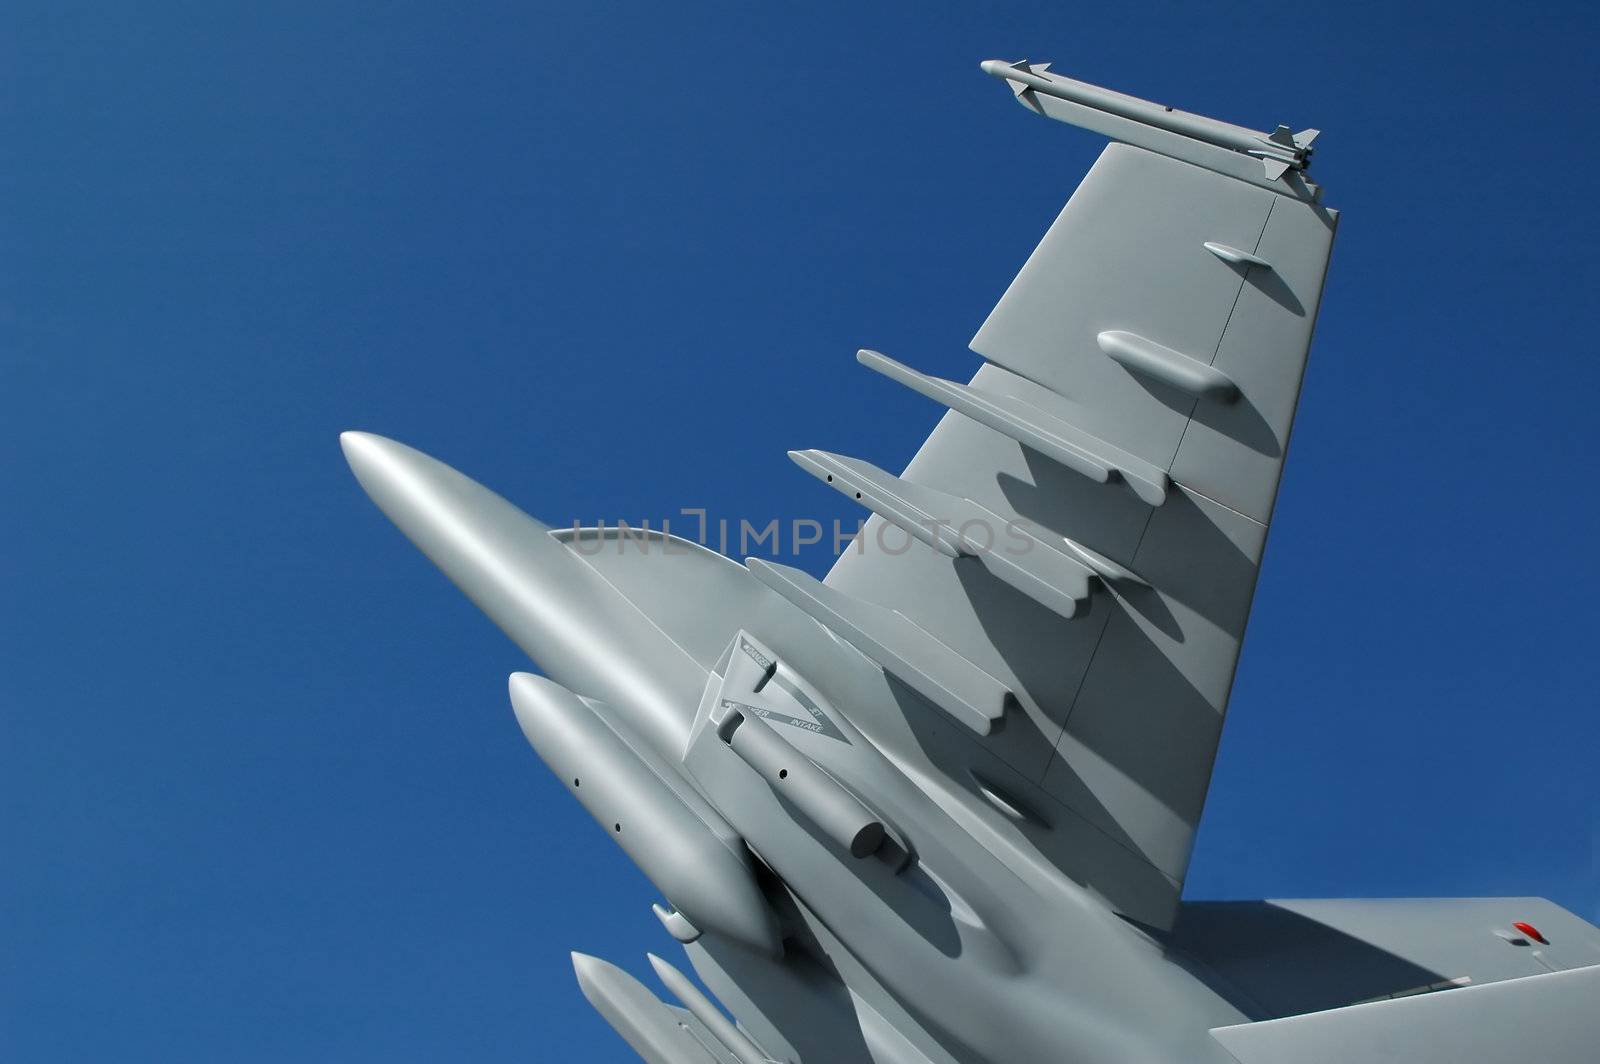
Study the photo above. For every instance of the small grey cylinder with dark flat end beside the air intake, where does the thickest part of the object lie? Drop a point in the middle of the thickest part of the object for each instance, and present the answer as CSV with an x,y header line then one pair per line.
x,y
801,780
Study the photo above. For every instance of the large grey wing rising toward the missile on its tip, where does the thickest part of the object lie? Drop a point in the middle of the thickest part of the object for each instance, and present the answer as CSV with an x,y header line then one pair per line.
x,y
1134,414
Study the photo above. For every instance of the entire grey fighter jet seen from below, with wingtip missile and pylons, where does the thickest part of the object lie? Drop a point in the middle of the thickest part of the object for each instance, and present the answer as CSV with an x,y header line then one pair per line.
x,y
938,807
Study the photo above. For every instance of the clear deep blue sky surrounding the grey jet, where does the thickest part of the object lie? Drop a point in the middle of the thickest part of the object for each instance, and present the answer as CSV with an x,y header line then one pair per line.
x,y
262,796
